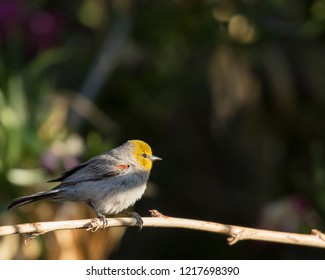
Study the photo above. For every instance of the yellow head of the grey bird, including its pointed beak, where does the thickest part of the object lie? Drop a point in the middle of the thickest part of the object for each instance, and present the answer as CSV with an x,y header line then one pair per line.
x,y
143,154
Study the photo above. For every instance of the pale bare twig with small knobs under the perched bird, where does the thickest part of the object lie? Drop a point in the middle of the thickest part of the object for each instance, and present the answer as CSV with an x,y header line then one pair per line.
x,y
234,233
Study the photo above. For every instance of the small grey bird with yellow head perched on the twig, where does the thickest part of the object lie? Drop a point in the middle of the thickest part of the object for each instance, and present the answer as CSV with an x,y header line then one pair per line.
x,y
108,183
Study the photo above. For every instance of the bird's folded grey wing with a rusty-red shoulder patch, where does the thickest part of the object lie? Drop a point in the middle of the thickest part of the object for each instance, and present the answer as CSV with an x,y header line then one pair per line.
x,y
95,169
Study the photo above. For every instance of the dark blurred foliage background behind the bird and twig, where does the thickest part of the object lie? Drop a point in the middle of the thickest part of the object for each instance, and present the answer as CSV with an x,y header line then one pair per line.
x,y
229,93
